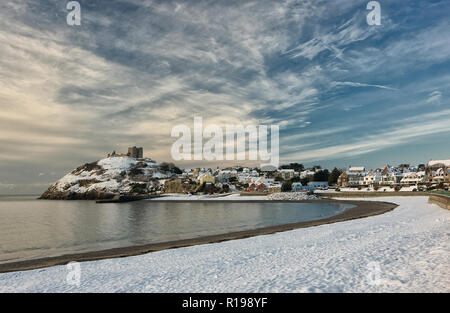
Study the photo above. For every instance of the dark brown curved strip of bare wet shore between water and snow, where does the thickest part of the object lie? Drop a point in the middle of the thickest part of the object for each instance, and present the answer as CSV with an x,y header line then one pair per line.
x,y
361,209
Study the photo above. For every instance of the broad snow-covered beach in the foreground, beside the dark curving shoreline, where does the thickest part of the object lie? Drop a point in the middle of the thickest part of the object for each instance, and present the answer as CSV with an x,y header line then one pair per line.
x,y
405,250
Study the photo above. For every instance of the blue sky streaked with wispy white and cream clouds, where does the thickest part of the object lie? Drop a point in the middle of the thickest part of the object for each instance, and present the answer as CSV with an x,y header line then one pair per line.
x,y
343,92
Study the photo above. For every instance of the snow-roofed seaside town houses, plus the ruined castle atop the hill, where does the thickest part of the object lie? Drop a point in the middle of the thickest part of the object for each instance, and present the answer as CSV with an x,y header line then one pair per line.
x,y
435,174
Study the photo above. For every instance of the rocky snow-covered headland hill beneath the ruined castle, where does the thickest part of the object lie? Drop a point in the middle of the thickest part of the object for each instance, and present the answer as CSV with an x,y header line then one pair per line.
x,y
107,177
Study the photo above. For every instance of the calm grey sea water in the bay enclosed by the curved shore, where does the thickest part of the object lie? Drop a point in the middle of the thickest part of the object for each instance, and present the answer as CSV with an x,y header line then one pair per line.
x,y
31,228
